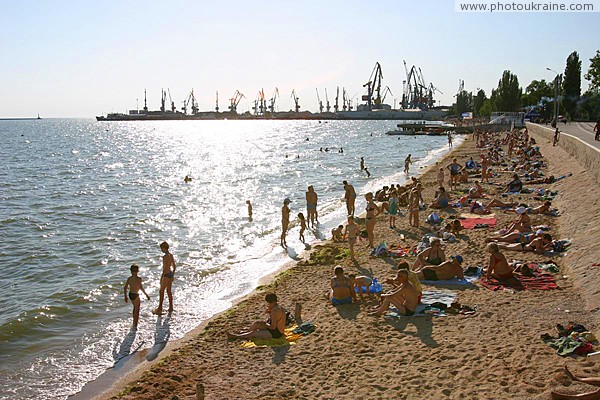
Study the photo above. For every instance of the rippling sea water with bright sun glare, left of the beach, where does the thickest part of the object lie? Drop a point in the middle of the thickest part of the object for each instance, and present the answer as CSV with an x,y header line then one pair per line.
x,y
80,201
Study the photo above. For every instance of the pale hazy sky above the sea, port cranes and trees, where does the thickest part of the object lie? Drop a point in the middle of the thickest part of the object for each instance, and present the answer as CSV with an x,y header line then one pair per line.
x,y
84,58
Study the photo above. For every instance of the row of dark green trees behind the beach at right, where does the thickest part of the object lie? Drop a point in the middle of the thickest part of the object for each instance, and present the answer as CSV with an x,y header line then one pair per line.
x,y
539,96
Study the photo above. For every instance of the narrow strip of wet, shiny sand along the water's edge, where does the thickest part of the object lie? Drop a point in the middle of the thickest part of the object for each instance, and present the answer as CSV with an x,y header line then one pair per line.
x,y
135,364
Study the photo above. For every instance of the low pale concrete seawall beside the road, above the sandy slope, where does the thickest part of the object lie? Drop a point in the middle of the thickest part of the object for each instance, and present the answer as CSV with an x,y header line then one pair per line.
x,y
586,155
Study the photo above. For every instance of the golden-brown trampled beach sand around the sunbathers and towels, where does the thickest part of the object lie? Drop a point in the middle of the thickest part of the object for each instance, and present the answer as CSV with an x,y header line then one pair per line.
x,y
496,353
